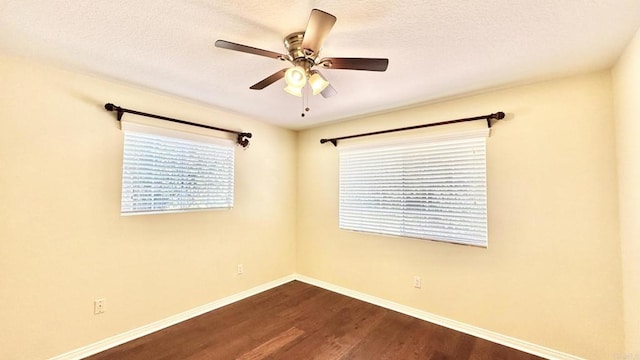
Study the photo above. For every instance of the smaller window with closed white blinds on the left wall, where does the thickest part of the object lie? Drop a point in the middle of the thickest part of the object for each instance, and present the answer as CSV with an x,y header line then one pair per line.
x,y
171,171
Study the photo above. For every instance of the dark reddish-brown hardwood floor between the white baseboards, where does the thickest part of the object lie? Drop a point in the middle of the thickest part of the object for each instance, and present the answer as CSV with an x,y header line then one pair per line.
x,y
301,321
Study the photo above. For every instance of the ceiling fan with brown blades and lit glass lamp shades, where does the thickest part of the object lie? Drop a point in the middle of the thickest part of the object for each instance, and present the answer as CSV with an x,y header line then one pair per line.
x,y
303,48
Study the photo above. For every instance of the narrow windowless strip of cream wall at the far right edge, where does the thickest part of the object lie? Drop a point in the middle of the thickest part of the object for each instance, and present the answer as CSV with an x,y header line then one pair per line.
x,y
626,81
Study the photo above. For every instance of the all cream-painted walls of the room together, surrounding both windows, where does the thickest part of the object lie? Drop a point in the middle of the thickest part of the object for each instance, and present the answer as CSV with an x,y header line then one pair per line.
x,y
551,274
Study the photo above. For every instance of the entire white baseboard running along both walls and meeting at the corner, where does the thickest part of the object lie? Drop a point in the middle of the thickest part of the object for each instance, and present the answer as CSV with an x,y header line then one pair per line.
x,y
119,339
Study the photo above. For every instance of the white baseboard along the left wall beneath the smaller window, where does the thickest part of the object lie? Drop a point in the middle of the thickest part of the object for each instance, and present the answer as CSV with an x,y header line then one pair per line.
x,y
164,323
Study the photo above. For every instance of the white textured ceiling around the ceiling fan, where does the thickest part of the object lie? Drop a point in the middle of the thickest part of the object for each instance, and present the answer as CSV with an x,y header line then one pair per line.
x,y
436,49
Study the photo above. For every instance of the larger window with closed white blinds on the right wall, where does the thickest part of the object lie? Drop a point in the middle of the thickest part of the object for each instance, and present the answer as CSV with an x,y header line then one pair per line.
x,y
431,189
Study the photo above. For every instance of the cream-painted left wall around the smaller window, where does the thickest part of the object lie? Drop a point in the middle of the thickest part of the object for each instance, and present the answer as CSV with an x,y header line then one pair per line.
x,y
63,242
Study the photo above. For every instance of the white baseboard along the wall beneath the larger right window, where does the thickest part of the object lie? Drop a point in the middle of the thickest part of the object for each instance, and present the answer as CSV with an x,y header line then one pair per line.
x,y
439,320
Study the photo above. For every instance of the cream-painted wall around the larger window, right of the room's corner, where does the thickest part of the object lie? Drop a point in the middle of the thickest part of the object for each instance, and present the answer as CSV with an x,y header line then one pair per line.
x,y
551,274
